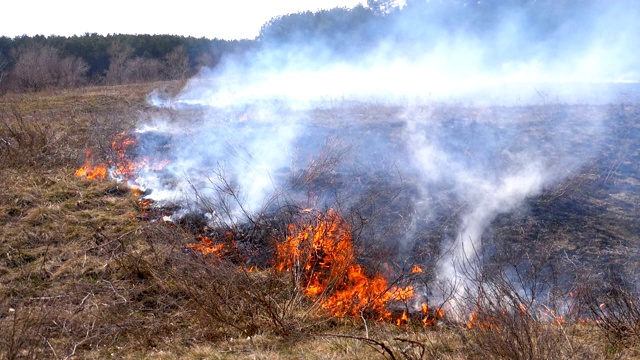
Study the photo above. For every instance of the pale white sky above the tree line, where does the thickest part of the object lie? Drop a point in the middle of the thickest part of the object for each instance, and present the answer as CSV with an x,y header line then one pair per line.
x,y
222,19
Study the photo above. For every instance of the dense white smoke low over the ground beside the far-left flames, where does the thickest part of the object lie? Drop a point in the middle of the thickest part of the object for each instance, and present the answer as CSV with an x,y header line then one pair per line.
x,y
218,161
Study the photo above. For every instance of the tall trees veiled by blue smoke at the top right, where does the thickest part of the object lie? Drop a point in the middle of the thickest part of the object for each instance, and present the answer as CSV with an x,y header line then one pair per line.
x,y
418,24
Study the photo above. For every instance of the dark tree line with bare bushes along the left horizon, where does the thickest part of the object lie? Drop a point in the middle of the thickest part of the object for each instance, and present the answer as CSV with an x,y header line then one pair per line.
x,y
34,63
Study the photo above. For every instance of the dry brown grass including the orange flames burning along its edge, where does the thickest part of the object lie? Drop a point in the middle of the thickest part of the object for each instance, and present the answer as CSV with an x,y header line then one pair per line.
x,y
89,269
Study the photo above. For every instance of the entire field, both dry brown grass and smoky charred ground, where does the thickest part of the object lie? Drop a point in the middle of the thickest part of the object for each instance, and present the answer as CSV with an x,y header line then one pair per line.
x,y
88,269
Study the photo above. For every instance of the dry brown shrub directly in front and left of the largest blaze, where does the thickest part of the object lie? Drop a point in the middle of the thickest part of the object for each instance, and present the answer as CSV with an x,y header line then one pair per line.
x,y
235,301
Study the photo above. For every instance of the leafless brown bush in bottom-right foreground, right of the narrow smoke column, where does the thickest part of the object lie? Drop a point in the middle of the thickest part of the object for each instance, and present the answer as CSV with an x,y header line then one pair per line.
x,y
520,316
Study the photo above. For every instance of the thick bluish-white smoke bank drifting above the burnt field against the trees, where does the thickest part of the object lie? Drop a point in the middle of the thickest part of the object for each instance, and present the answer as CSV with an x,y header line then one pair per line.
x,y
437,52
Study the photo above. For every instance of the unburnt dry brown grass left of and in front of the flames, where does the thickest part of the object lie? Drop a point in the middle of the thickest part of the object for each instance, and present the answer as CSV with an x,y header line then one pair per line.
x,y
85,274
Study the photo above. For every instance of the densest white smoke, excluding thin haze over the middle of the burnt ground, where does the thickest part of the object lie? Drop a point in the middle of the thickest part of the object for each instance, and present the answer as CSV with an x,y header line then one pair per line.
x,y
254,113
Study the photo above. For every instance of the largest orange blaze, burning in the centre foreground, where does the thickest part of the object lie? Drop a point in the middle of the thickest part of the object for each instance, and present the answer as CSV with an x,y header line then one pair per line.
x,y
321,253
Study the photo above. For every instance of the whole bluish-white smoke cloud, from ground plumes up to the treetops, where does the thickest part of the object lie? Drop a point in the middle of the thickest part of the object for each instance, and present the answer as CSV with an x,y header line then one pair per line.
x,y
250,125
